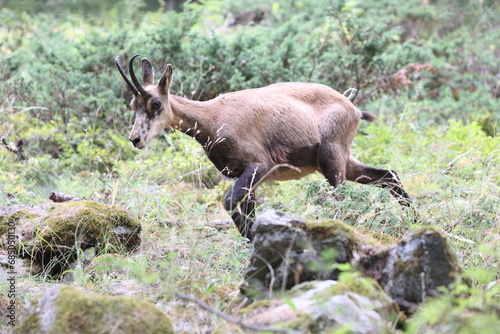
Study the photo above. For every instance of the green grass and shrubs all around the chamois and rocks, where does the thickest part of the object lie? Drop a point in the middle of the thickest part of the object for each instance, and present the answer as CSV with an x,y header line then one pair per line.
x,y
62,95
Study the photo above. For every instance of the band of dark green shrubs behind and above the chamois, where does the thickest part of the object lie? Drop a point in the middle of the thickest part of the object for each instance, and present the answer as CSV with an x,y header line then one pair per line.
x,y
68,70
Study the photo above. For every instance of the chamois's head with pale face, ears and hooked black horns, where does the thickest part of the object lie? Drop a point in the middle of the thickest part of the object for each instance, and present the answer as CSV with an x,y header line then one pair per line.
x,y
150,103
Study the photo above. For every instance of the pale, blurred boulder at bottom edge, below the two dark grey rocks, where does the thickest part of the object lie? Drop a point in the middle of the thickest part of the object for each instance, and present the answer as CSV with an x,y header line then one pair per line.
x,y
358,306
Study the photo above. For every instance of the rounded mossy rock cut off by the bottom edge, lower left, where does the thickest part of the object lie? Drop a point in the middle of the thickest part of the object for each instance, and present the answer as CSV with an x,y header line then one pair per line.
x,y
70,310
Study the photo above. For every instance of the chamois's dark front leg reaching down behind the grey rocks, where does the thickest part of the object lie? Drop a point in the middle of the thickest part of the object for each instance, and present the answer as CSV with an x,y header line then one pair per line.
x,y
240,200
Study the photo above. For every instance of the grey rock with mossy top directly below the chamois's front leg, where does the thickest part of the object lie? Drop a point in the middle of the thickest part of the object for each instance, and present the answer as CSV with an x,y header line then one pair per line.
x,y
287,251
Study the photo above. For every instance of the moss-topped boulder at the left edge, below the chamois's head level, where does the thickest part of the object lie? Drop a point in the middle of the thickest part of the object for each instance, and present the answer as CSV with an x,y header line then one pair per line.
x,y
52,237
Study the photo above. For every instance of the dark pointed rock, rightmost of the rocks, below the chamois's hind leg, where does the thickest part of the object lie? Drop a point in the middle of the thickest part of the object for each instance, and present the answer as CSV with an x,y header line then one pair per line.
x,y
414,268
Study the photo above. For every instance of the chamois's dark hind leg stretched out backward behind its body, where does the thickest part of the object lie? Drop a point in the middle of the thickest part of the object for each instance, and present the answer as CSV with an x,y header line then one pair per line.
x,y
361,173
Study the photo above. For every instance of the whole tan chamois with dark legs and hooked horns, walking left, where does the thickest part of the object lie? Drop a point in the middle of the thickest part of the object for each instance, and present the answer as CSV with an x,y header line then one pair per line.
x,y
279,132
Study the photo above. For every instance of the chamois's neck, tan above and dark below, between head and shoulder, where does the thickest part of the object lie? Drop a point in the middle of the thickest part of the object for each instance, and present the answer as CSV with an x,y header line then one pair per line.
x,y
191,117
